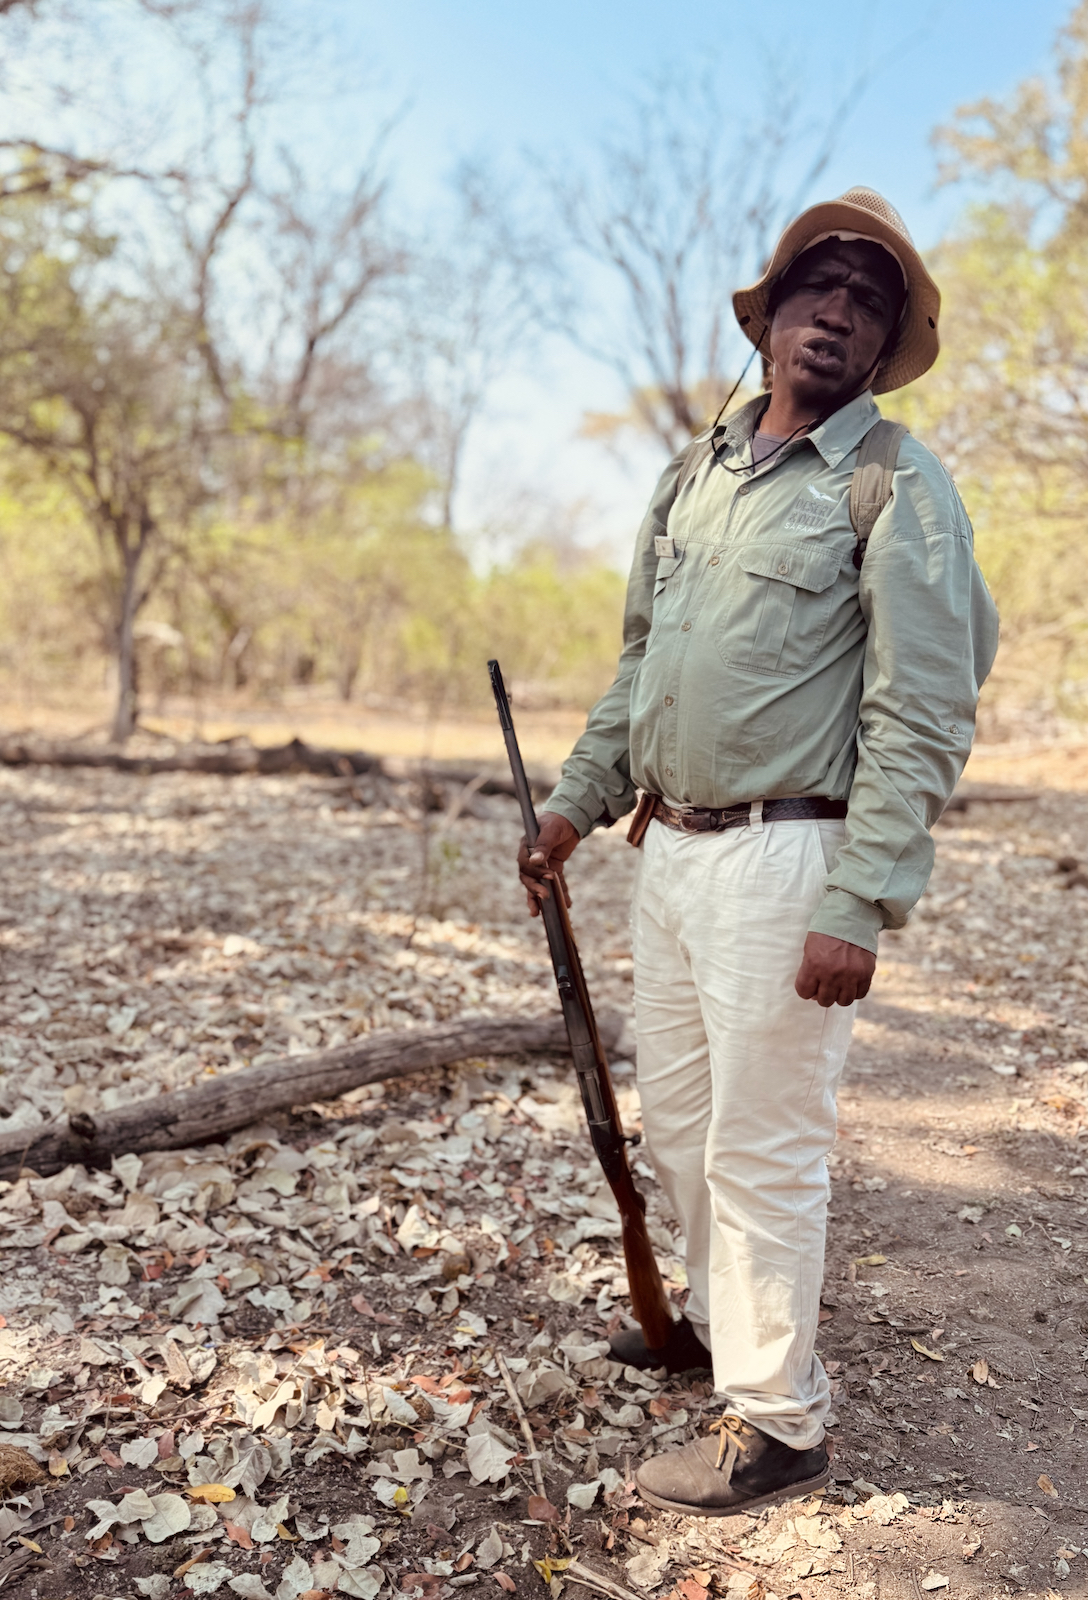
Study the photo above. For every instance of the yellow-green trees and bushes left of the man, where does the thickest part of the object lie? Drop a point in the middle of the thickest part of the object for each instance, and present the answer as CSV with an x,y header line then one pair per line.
x,y
231,554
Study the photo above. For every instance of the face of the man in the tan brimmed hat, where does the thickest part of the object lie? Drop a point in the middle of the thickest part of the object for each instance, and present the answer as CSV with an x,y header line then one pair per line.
x,y
838,306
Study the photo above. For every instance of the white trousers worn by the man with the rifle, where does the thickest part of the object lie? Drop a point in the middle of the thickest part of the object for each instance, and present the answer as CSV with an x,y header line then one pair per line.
x,y
738,1081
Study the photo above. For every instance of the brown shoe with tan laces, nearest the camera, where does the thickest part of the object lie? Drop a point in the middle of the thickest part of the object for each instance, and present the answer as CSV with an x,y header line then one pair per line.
x,y
735,1473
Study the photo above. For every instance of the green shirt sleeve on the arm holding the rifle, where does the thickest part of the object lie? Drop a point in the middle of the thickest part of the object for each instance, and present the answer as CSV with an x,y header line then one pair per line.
x,y
596,788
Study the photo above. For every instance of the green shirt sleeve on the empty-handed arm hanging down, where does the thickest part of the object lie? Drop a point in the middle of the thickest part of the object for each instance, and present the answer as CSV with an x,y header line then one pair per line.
x,y
932,644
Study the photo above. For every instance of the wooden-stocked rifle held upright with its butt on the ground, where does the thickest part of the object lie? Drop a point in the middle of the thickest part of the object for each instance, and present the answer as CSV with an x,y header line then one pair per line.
x,y
649,1298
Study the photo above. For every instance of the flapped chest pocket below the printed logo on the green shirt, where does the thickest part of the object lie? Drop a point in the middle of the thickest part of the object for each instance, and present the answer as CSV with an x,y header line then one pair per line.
x,y
777,607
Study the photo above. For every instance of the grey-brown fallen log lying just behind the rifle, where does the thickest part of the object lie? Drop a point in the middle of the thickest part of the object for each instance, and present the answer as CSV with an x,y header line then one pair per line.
x,y
209,1111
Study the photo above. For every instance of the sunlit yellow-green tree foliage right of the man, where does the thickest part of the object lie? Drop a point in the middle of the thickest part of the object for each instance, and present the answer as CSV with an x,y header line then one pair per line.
x,y
1007,404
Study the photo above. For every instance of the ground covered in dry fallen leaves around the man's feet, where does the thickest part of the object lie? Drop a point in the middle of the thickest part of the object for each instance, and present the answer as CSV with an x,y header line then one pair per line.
x,y
276,1367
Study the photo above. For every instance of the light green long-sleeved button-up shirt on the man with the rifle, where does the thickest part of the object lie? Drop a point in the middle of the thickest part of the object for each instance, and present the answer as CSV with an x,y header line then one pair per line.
x,y
759,662
